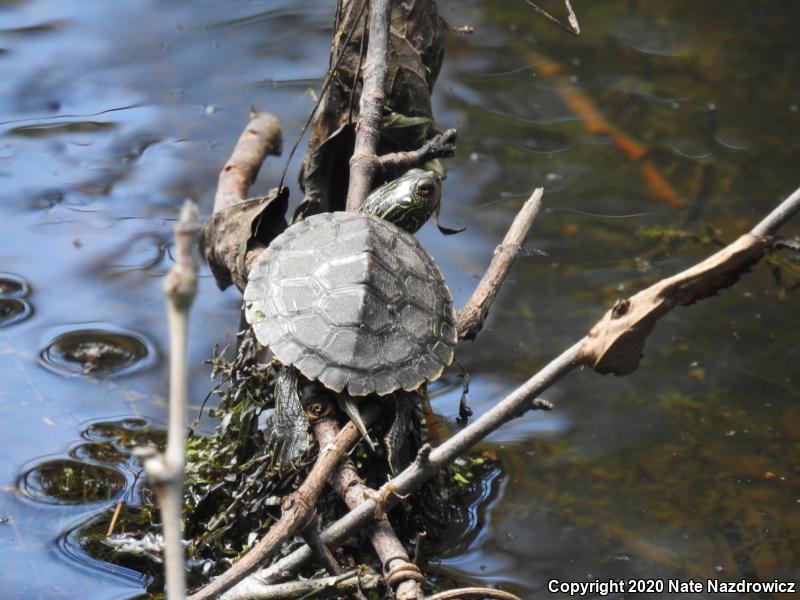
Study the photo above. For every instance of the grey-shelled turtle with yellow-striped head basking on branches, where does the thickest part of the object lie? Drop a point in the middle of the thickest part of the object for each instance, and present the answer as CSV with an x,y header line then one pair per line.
x,y
354,302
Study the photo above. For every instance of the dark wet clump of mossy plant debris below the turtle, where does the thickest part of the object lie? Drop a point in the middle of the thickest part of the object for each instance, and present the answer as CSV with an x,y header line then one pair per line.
x,y
234,489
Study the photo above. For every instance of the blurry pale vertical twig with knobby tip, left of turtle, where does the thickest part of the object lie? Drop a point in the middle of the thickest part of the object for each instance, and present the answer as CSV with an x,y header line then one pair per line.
x,y
166,470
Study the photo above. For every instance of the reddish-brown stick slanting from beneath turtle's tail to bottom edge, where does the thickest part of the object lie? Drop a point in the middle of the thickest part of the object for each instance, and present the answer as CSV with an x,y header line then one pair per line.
x,y
297,507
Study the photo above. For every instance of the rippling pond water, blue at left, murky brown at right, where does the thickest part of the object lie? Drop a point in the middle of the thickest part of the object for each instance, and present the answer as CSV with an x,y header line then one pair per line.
x,y
113,112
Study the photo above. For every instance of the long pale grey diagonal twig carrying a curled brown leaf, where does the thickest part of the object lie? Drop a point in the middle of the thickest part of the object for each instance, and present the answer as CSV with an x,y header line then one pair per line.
x,y
429,461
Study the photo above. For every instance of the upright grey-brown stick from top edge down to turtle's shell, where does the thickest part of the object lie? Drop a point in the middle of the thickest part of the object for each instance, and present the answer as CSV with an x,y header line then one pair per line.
x,y
364,163
